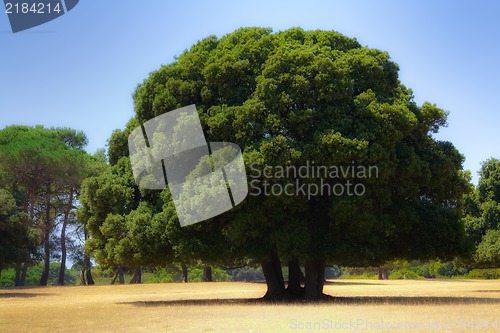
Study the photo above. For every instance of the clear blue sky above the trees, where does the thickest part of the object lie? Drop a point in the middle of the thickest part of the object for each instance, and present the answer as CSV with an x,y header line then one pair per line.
x,y
81,69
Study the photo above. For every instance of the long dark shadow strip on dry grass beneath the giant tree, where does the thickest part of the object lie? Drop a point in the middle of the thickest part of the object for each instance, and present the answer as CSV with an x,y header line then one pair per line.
x,y
358,300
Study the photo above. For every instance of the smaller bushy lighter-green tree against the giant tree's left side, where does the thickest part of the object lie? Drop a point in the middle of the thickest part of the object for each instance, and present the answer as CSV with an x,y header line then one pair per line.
x,y
122,222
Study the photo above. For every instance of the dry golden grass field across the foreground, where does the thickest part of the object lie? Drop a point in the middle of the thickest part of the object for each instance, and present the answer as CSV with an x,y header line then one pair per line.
x,y
358,306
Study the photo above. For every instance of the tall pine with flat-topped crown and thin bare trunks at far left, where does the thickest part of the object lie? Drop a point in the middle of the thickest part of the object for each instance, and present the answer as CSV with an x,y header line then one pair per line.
x,y
44,167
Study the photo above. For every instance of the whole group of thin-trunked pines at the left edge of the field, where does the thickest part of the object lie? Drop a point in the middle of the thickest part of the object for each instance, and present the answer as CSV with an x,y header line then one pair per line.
x,y
41,170
